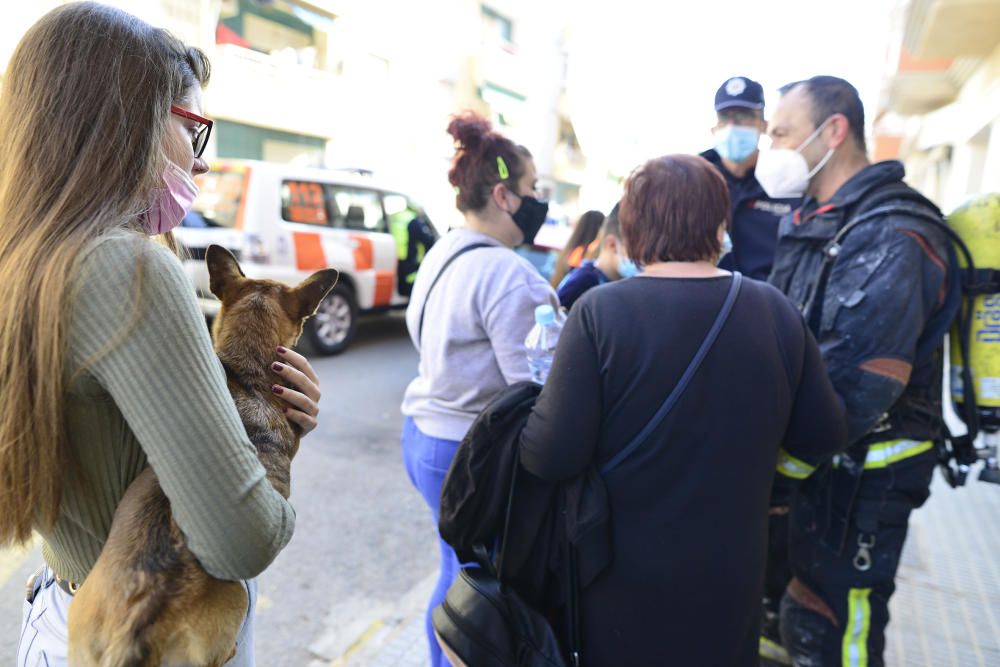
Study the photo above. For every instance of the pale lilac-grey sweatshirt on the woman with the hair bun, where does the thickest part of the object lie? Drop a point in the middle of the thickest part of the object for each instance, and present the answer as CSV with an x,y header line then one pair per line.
x,y
476,320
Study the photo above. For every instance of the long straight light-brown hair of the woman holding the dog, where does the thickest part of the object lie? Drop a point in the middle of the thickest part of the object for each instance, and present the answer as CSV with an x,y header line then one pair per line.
x,y
84,112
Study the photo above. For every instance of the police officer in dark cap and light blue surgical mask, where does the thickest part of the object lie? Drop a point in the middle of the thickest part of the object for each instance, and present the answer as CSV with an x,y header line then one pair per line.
x,y
739,108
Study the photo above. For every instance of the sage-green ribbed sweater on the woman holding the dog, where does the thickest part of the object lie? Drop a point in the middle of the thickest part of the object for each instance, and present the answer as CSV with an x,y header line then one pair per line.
x,y
158,397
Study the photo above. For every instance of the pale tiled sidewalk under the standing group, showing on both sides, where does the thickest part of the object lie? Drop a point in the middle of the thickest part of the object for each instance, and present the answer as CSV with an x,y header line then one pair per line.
x,y
946,611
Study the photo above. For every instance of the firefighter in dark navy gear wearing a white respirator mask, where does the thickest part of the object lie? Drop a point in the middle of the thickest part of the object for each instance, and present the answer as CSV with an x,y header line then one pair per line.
x,y
876,279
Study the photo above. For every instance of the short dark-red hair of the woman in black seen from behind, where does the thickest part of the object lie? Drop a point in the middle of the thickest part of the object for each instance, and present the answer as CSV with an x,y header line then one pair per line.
x,y
672,208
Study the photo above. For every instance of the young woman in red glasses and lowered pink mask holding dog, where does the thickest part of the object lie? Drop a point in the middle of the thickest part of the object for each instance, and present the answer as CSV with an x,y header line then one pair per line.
x,y
107,363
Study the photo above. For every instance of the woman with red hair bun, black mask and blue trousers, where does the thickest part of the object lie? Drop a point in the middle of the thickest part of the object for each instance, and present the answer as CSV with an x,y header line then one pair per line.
x,y
472,306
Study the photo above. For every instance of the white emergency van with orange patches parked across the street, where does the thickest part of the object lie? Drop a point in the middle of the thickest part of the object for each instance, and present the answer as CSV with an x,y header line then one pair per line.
x,y
284,222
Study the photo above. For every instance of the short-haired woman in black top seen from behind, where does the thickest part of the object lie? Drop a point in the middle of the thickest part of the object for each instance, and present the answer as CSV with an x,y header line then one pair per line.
x,y
689,507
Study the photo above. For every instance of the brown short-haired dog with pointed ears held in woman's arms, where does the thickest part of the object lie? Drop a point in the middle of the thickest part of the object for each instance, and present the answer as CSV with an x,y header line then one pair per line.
x,y
147,601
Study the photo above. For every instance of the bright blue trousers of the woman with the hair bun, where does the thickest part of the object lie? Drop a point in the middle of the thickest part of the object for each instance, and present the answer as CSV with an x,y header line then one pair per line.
x,y
427,460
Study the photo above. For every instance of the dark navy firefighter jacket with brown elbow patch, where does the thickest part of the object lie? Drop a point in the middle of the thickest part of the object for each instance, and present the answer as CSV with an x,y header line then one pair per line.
x,y
890,293
